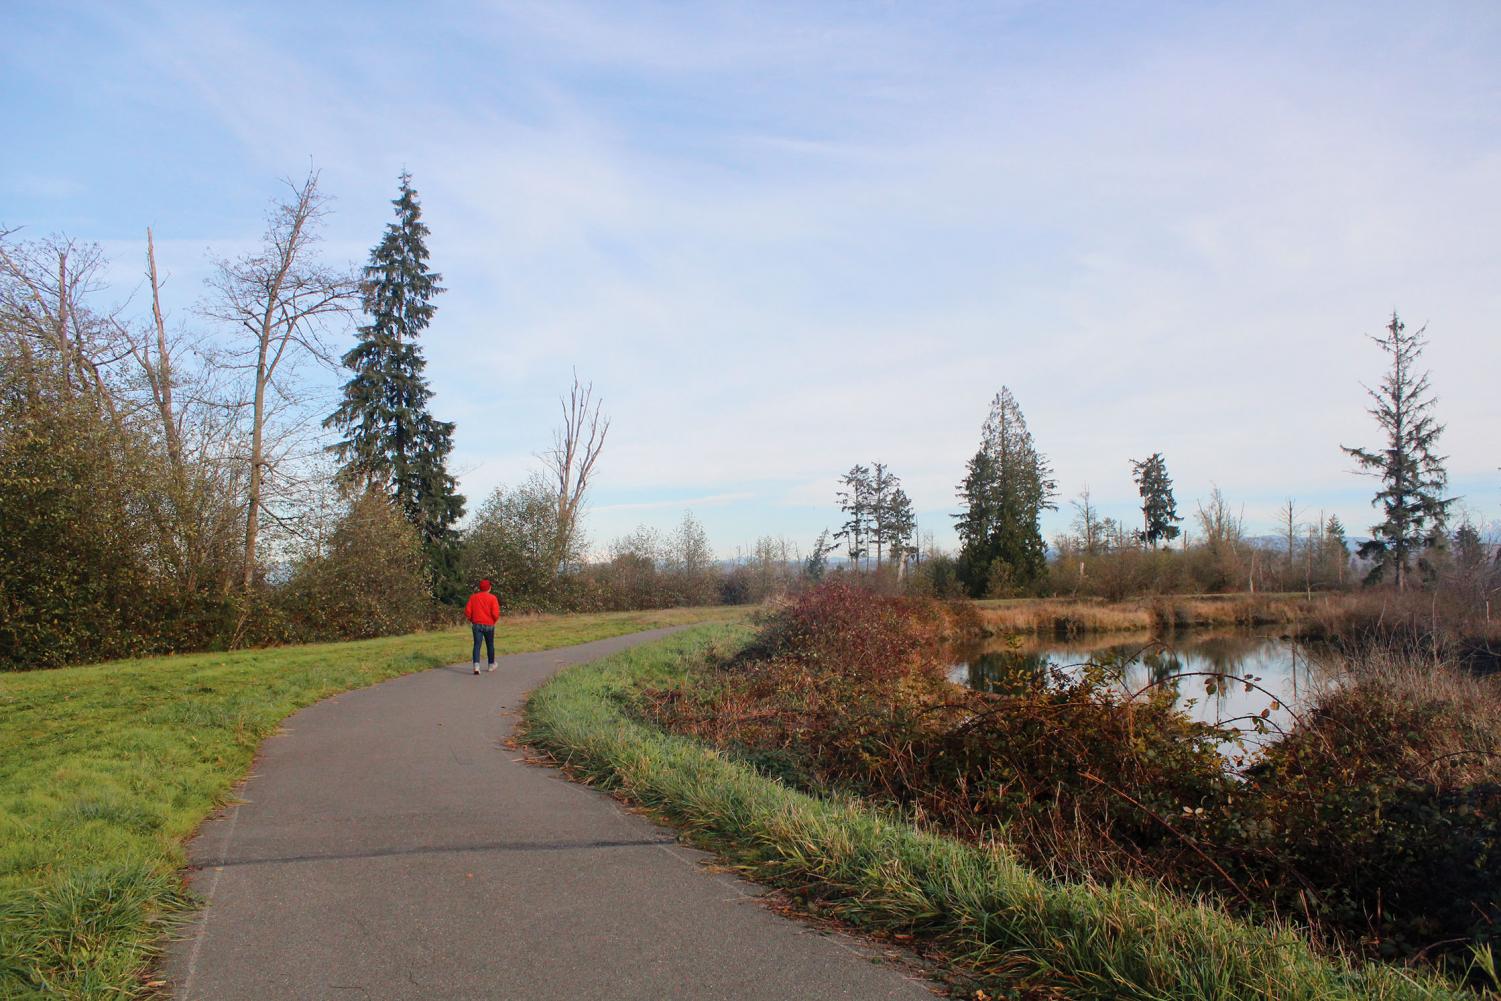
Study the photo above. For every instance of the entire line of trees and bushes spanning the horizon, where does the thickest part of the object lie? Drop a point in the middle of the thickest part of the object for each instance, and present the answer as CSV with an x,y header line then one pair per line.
x,y
191,484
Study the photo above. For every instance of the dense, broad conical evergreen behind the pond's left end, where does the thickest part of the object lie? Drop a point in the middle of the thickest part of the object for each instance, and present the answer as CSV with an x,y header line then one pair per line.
x,y
1008,487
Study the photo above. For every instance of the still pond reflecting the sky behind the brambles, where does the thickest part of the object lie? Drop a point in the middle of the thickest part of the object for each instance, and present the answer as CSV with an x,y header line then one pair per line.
x,y
1284,670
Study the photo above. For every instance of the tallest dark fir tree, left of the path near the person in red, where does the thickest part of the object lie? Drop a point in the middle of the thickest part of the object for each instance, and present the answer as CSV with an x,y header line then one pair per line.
x,y
391,439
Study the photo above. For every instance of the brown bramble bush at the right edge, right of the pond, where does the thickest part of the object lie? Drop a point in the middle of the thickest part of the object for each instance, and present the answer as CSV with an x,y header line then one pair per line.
x,y
1380,814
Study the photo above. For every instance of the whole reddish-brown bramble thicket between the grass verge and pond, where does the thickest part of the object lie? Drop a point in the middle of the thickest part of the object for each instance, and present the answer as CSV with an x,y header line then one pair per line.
x,y
1376,820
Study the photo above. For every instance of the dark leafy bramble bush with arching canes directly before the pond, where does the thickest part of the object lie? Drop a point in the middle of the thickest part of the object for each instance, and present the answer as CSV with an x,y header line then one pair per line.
x,y
1084,780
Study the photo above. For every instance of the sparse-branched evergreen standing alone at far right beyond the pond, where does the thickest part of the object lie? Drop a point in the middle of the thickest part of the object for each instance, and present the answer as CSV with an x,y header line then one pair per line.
x,y
1412,473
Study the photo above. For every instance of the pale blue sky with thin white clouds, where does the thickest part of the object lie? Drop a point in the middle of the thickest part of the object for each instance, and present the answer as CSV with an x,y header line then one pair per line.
x,y
783,239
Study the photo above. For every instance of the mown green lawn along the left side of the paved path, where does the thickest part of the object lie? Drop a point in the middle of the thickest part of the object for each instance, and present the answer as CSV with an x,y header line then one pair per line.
x,y
106,772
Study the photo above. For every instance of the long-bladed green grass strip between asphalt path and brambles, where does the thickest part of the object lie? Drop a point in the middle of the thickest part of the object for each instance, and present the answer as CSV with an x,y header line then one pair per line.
x,y
997,924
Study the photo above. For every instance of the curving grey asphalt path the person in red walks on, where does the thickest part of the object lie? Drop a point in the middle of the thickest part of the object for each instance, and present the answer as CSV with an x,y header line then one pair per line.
x,y
390,847
